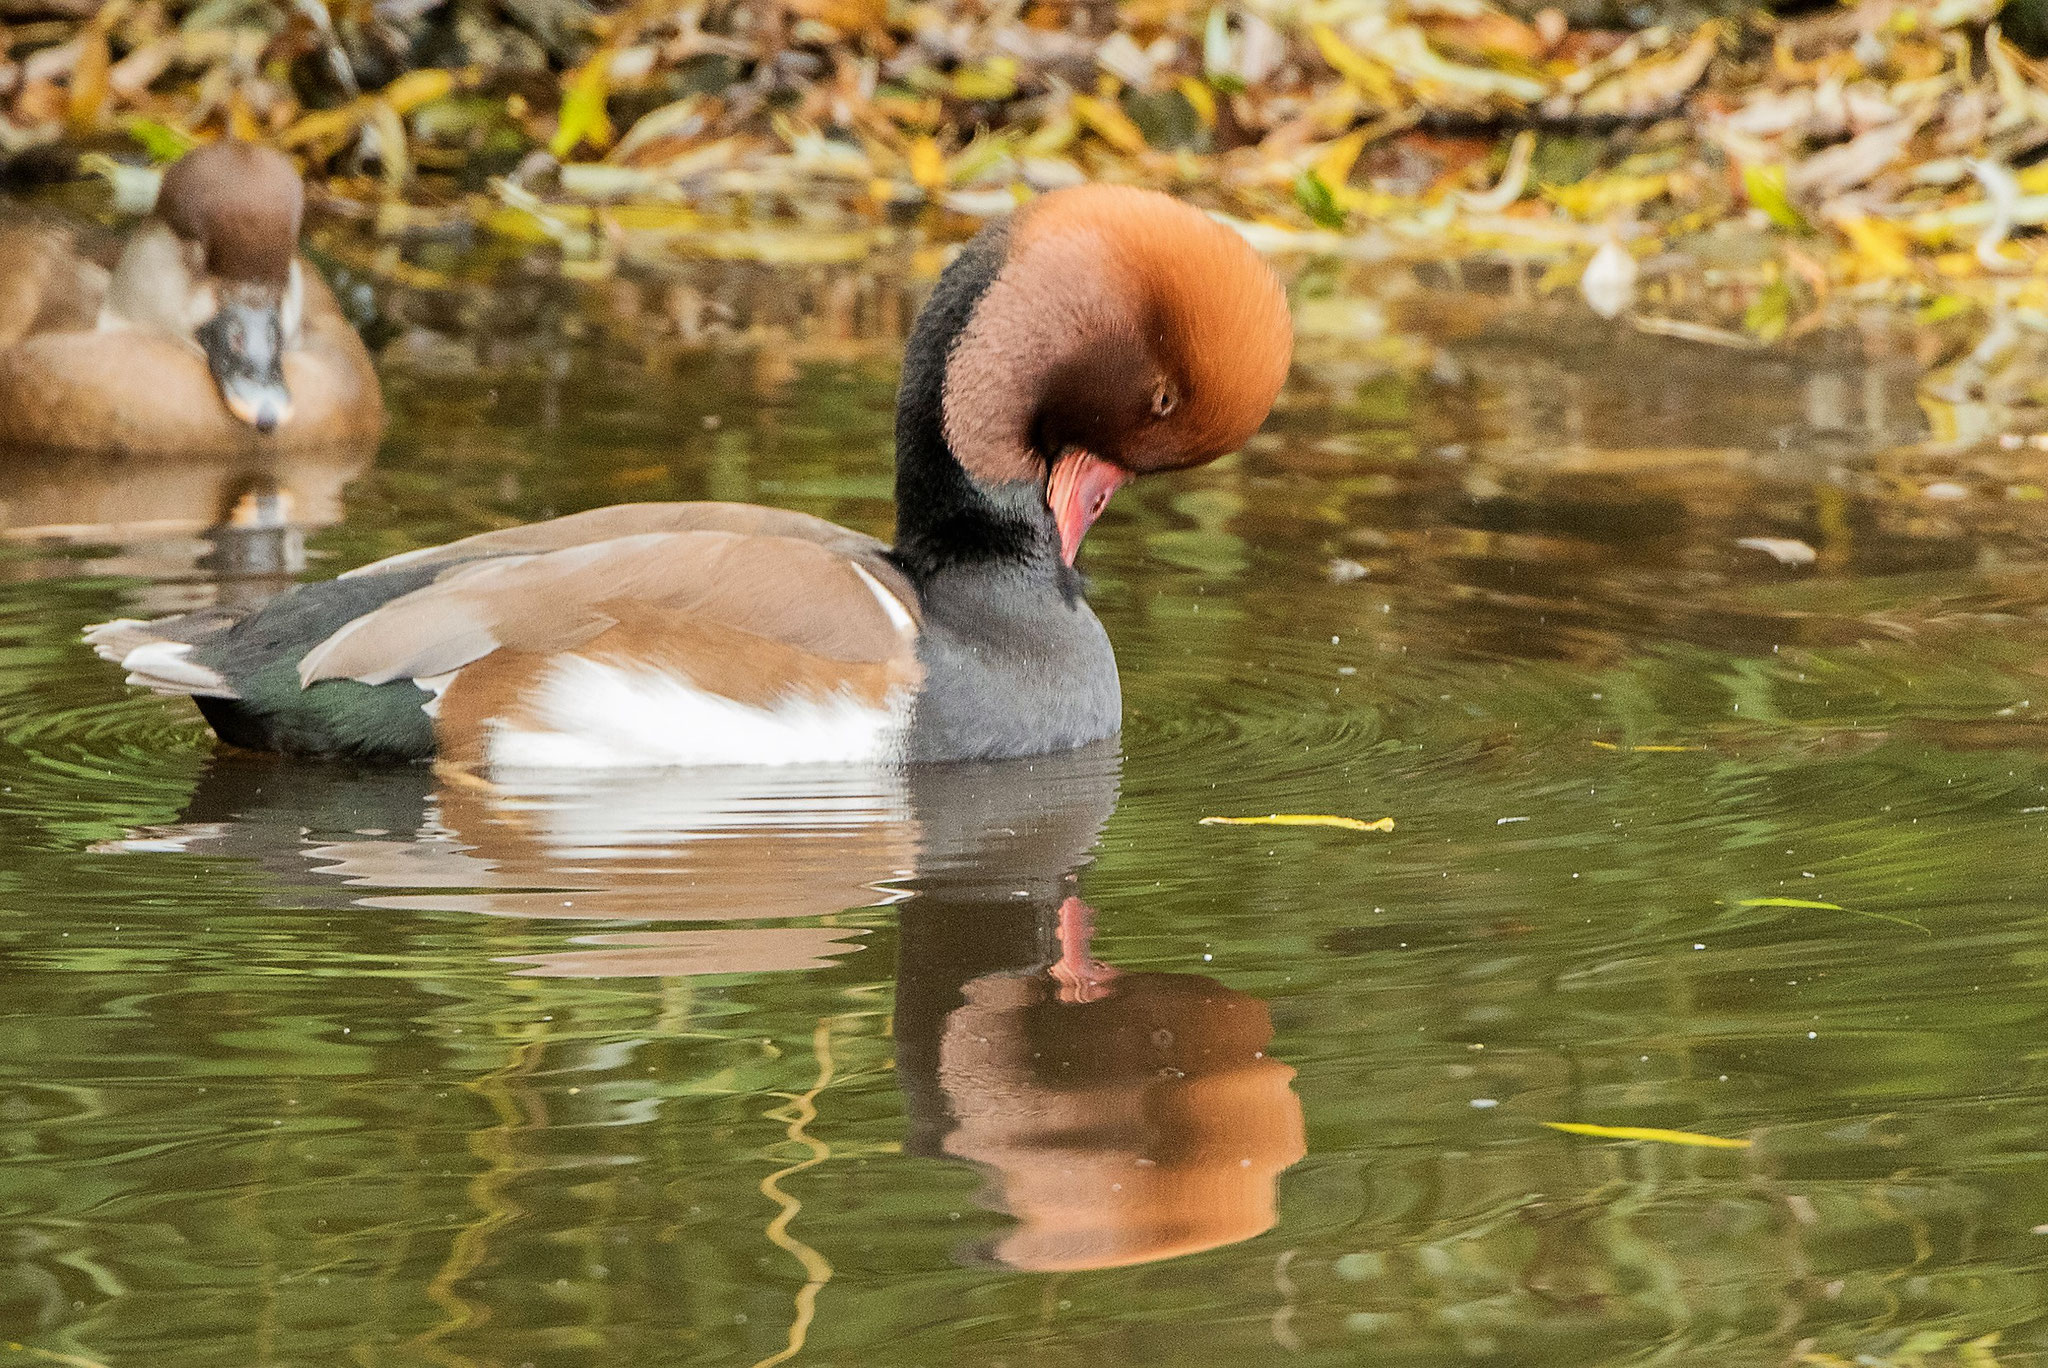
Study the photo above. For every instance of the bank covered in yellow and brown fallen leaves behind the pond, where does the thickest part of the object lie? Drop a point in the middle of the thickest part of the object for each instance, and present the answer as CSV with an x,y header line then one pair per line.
x,y
1887,148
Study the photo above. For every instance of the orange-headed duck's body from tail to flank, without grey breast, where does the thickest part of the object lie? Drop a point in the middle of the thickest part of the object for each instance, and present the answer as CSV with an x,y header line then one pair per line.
x,y
650,648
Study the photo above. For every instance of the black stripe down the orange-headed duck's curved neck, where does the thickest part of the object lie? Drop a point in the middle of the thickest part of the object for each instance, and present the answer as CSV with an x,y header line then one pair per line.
x,y
945,519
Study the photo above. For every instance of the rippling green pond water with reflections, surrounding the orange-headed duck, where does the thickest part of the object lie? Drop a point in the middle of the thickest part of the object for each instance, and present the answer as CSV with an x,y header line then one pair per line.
x,y
306,1064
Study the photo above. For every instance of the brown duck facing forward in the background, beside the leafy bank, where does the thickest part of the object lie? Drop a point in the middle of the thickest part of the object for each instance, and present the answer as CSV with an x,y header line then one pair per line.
x,y
208,339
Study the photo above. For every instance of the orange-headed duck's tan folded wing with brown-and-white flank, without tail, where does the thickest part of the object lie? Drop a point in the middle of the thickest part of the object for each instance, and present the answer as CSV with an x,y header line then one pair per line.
x,y
669,648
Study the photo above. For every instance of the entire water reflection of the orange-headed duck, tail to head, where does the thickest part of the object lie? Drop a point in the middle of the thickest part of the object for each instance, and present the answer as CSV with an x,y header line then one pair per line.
x,y
1121,1117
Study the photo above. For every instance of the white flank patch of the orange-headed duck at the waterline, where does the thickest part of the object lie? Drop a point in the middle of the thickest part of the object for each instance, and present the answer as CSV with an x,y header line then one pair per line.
x,y
609,718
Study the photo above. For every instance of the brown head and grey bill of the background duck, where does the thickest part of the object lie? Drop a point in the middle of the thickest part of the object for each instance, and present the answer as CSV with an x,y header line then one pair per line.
x,y
239,210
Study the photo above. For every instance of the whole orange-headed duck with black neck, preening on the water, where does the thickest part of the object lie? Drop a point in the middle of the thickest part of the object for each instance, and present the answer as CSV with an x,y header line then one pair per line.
x,y
1099,335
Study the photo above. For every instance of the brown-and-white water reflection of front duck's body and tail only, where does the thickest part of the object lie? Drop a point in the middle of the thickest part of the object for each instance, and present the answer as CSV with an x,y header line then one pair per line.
x,y
644,849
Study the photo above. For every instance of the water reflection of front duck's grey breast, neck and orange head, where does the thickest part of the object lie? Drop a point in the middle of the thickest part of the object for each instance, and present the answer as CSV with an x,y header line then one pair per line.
x,y
1121,1117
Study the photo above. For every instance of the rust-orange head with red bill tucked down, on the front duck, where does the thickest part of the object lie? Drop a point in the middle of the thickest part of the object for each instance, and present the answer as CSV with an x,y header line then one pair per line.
x,y
1125,335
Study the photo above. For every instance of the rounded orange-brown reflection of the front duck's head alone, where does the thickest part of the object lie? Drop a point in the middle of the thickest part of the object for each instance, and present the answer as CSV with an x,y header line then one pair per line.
x,y
1138,1127
